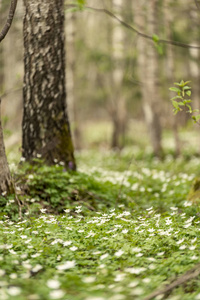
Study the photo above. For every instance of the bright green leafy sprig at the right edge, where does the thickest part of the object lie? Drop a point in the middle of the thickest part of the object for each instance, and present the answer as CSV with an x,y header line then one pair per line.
x,y
182,100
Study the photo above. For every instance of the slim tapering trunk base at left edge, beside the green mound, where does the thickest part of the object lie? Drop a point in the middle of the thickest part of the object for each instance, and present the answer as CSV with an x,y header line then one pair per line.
x,y
6,184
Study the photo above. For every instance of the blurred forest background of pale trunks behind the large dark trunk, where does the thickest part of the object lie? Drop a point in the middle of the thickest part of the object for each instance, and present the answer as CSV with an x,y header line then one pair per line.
x,y
117,80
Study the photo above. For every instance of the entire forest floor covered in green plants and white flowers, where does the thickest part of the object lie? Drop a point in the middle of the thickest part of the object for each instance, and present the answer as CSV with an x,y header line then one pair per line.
x,y
120,228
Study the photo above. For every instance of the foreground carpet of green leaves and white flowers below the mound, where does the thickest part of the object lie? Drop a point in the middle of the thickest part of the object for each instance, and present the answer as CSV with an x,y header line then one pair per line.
x,y
114,255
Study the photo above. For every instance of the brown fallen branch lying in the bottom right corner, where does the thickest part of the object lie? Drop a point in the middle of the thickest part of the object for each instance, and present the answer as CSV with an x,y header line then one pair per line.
x,y
191,274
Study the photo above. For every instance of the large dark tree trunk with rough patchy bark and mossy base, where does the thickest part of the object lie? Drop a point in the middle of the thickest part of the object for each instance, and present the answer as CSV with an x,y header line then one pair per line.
x,y
45,125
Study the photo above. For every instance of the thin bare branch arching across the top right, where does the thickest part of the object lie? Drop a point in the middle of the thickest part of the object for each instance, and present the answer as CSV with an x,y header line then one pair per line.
x,y
109,13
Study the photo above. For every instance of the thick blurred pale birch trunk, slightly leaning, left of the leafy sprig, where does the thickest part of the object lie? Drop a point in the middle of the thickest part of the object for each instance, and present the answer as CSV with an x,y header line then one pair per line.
x,y
148,72
